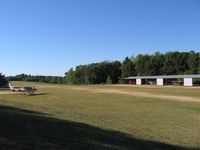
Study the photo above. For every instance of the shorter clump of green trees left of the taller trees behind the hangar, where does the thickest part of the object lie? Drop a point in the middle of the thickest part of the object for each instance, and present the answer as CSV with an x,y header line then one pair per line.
x,y
95,73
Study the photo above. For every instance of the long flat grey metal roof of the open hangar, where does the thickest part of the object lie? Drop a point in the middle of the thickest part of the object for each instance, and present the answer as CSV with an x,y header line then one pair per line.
x,y
165,77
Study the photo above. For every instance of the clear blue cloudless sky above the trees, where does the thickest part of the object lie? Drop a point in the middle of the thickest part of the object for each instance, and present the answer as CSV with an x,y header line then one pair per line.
x,y
47,37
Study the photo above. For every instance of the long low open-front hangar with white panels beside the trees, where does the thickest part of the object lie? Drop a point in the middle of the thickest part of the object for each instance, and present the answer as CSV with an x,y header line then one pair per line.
x,y
186,80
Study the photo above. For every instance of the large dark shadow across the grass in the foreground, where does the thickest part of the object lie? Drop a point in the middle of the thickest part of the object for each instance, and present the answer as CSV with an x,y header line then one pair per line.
x,y
22,129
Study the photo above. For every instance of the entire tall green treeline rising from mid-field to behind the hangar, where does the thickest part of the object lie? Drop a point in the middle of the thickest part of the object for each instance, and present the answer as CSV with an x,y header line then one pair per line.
x,y
170,63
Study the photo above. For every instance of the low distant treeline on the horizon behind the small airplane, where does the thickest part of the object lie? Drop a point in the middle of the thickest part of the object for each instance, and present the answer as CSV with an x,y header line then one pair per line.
x,y
31,78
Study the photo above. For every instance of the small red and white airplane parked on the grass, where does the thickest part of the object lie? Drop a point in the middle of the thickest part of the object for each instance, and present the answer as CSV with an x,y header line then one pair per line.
x,y
29,90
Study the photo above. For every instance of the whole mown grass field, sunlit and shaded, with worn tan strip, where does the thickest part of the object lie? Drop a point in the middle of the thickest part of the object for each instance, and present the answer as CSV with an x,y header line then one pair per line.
x,y
101,117
